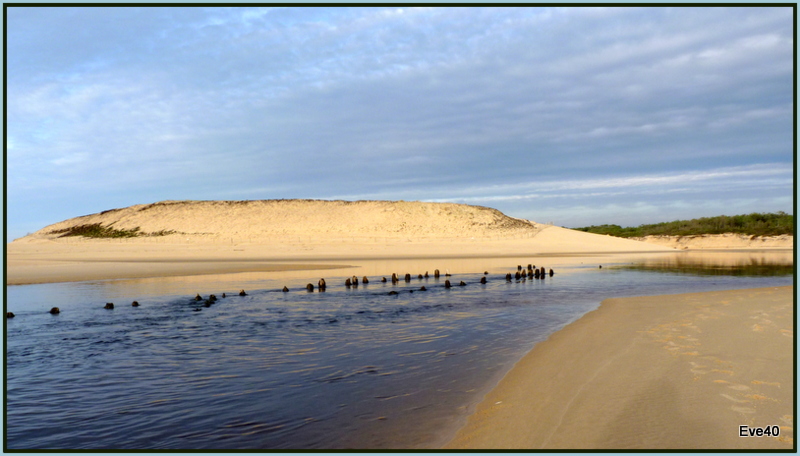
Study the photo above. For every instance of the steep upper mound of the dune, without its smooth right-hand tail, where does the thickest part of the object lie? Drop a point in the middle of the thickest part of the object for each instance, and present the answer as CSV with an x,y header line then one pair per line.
x,y
268,219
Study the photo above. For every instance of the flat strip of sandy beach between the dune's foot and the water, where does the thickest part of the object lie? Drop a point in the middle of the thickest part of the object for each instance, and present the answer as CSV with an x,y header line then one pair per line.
x,y
71,261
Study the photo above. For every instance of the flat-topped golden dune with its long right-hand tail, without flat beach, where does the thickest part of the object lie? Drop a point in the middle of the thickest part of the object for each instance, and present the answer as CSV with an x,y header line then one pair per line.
x,y
336,228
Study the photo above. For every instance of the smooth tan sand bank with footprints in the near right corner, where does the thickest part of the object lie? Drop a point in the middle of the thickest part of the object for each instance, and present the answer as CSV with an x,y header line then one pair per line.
x,y
662,372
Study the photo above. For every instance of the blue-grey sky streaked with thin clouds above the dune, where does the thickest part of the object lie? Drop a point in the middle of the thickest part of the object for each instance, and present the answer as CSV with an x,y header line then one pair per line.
x,y
571,115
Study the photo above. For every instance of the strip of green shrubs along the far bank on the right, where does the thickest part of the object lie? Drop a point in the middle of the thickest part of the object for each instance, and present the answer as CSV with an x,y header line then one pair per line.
x,y
755,224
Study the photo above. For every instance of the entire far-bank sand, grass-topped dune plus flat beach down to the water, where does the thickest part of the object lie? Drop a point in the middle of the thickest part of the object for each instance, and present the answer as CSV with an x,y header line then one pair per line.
x,y
234,236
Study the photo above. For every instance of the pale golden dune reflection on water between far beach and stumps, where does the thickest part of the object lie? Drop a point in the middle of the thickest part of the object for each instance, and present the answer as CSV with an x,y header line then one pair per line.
x,y
335,272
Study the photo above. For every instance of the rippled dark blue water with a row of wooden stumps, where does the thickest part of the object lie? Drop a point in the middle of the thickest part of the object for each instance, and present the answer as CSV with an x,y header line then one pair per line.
x,y
347,368
